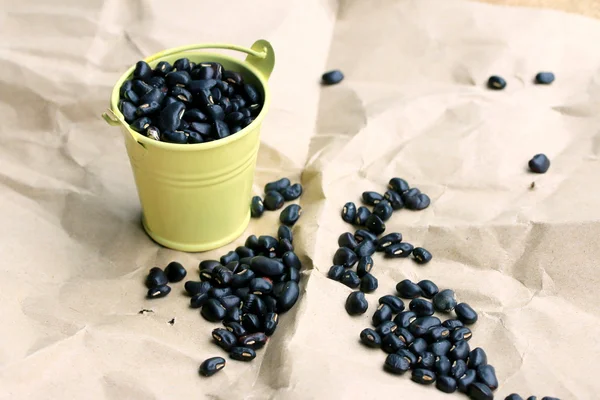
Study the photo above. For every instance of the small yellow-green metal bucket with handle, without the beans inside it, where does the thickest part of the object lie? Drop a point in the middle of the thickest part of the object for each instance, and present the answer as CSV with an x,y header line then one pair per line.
x,y
196,197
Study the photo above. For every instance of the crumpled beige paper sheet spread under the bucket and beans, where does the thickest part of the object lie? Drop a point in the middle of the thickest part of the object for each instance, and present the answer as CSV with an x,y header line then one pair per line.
x,y
413,104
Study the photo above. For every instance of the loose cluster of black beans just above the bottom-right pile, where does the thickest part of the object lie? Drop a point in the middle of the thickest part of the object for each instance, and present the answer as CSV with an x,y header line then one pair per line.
x,y
358,248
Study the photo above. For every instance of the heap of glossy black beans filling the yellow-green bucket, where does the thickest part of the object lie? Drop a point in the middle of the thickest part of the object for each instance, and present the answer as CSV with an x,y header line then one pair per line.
x,y
188,102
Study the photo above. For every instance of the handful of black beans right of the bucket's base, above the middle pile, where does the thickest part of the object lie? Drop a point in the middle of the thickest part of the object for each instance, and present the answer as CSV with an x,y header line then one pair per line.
x,y
276,194
